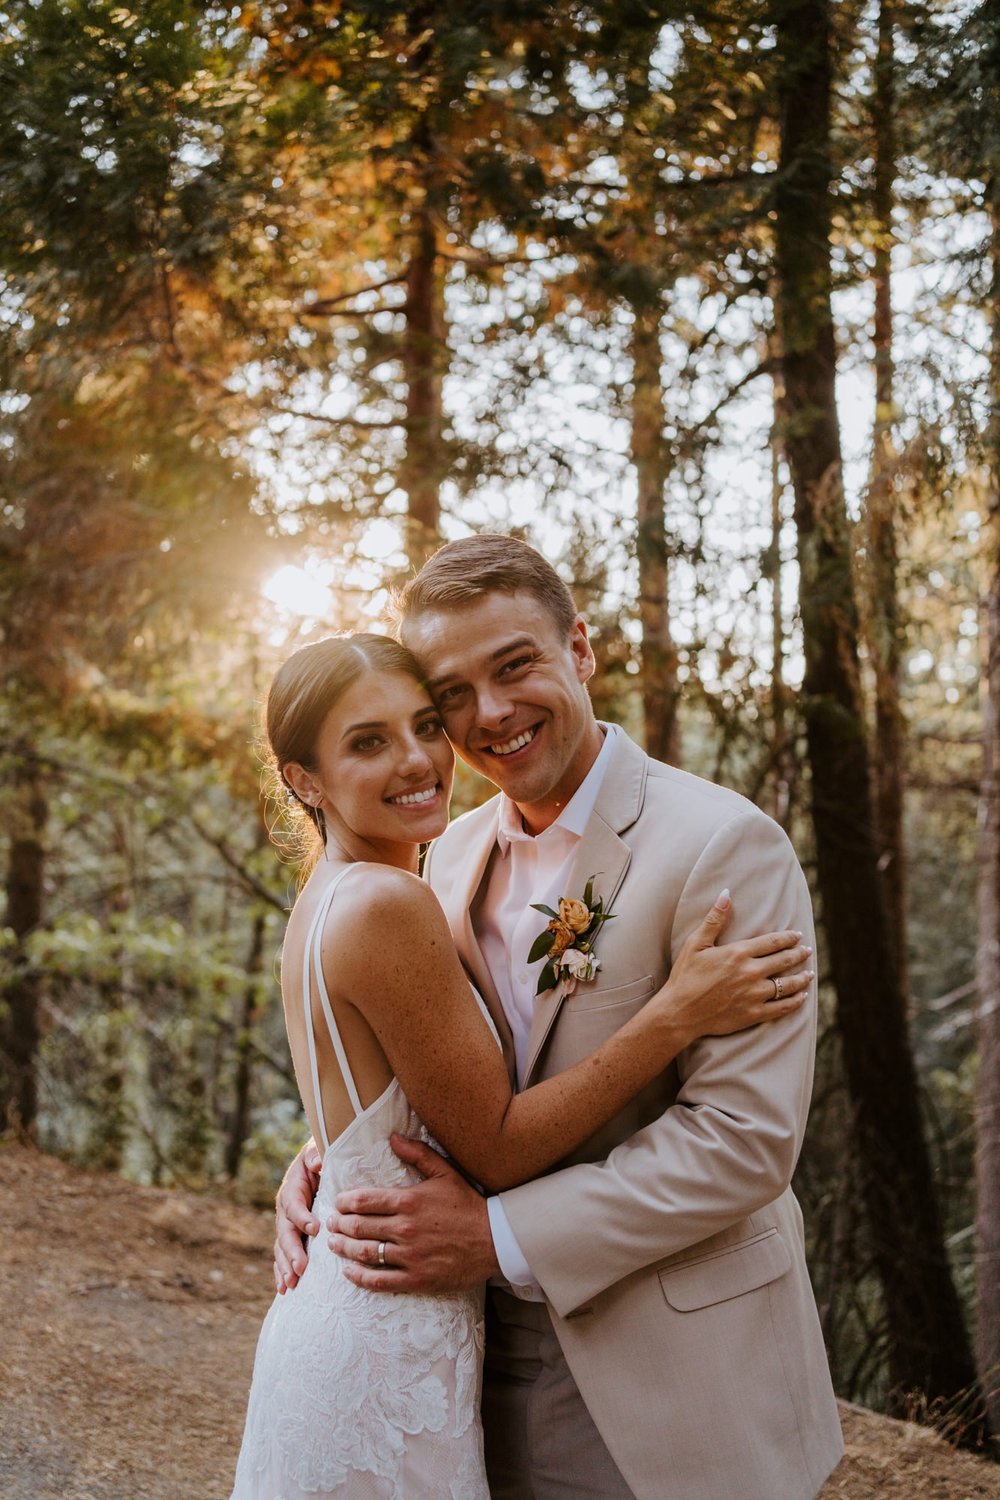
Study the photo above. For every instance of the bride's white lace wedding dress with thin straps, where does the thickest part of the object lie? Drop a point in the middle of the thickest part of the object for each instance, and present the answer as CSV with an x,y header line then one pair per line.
x,y
356,1394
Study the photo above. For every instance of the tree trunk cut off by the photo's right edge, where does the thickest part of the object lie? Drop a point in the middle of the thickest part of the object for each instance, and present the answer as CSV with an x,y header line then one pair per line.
x,y
989,1009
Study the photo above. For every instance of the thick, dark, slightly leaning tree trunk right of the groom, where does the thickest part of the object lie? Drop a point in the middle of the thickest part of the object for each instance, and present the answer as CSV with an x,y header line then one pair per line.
x,y
929,1348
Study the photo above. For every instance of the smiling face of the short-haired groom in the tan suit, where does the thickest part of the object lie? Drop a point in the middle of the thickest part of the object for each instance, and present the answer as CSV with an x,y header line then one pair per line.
x,y
510,688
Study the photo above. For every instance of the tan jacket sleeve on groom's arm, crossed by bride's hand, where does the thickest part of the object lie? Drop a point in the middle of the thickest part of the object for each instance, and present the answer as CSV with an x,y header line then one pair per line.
x,y
728,1145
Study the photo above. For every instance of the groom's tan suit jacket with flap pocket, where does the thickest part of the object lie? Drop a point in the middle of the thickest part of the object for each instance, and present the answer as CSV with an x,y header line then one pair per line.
x,y
671,1246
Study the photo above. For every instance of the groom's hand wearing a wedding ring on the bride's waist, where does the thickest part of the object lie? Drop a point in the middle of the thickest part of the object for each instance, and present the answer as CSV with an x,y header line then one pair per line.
x,y
436,1237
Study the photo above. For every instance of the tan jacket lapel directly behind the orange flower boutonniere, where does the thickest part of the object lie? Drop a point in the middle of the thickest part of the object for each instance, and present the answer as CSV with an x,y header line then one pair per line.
x,y
602,854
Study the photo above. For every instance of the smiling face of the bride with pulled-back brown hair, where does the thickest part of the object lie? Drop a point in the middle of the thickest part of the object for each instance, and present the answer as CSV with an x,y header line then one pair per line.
x,y
383,764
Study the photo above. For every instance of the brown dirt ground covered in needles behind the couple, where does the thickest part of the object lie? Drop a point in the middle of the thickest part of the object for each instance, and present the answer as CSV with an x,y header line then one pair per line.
x,y
127,1337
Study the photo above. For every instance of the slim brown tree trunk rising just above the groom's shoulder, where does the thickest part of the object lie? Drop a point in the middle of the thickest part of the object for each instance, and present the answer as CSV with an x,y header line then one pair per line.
x,y
651,460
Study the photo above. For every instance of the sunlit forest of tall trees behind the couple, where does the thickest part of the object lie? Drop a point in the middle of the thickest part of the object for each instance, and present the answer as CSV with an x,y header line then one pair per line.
x,y
704,301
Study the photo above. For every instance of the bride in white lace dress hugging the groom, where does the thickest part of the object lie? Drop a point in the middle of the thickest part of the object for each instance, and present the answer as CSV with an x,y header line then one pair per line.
x,y
368,1396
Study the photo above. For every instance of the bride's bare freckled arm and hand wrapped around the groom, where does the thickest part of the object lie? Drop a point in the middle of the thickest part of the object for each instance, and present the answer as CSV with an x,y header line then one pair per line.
x,y
403,973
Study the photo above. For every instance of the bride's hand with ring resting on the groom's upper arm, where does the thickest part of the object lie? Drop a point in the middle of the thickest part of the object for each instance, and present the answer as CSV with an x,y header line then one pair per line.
x,y
714,991
